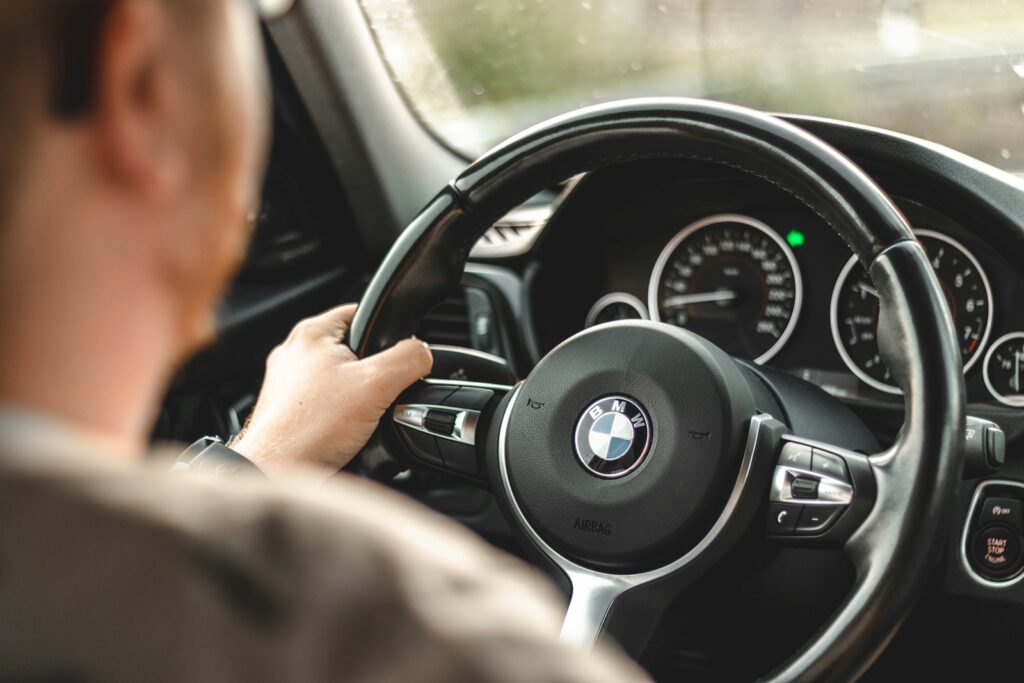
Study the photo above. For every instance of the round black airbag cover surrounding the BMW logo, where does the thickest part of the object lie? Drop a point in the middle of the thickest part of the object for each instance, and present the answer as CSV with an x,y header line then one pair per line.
x,y
699,406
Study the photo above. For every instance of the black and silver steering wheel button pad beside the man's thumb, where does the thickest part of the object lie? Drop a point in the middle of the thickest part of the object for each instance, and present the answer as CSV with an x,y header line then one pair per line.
x,y
443,424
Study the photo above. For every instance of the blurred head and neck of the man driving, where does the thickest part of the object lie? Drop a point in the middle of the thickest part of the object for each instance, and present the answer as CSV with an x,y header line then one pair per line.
x,y
133,136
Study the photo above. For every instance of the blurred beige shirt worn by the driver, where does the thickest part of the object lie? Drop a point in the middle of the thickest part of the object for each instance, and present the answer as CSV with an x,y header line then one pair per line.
x,y
113,572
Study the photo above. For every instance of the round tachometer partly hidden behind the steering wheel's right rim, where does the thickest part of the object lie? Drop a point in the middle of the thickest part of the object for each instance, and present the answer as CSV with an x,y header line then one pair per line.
x,y
856,309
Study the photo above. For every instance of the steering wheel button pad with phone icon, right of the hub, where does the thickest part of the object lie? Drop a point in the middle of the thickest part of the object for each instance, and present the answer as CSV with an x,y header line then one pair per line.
x,y
821,494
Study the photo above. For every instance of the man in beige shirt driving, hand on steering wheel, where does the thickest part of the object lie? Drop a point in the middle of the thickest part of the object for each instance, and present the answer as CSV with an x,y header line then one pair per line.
x,y
132,139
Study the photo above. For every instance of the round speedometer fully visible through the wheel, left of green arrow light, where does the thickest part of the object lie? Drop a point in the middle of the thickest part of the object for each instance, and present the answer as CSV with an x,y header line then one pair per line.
x,y
733,280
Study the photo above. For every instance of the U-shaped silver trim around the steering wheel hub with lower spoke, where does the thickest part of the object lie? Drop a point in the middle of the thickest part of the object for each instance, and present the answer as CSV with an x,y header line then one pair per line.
x,y
595,592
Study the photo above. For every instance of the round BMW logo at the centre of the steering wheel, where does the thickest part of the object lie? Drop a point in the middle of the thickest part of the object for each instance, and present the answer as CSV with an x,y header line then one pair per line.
x,y
613,438
